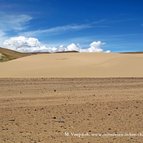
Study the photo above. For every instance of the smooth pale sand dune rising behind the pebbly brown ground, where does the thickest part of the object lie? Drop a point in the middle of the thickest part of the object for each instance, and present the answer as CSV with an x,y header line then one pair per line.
x,y
75,65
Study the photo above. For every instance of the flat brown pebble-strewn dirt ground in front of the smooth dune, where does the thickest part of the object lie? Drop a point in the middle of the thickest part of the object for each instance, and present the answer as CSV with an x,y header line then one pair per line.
x,y
42,110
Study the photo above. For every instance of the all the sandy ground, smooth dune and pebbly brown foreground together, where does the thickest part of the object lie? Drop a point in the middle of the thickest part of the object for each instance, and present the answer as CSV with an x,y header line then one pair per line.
x,y
72,98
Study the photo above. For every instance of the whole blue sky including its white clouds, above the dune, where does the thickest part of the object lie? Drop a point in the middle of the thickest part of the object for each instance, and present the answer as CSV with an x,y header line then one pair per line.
x,y
96,25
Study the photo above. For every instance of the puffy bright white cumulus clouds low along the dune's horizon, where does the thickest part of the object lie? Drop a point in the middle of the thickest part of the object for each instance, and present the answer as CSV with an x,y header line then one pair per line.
x,y
24,44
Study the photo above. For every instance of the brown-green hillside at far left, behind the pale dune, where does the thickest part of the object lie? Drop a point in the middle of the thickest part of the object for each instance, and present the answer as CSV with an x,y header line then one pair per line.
x,y
7,54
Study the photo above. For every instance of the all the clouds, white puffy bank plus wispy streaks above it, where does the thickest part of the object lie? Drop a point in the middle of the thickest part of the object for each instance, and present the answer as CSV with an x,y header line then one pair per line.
x,y
12,24
